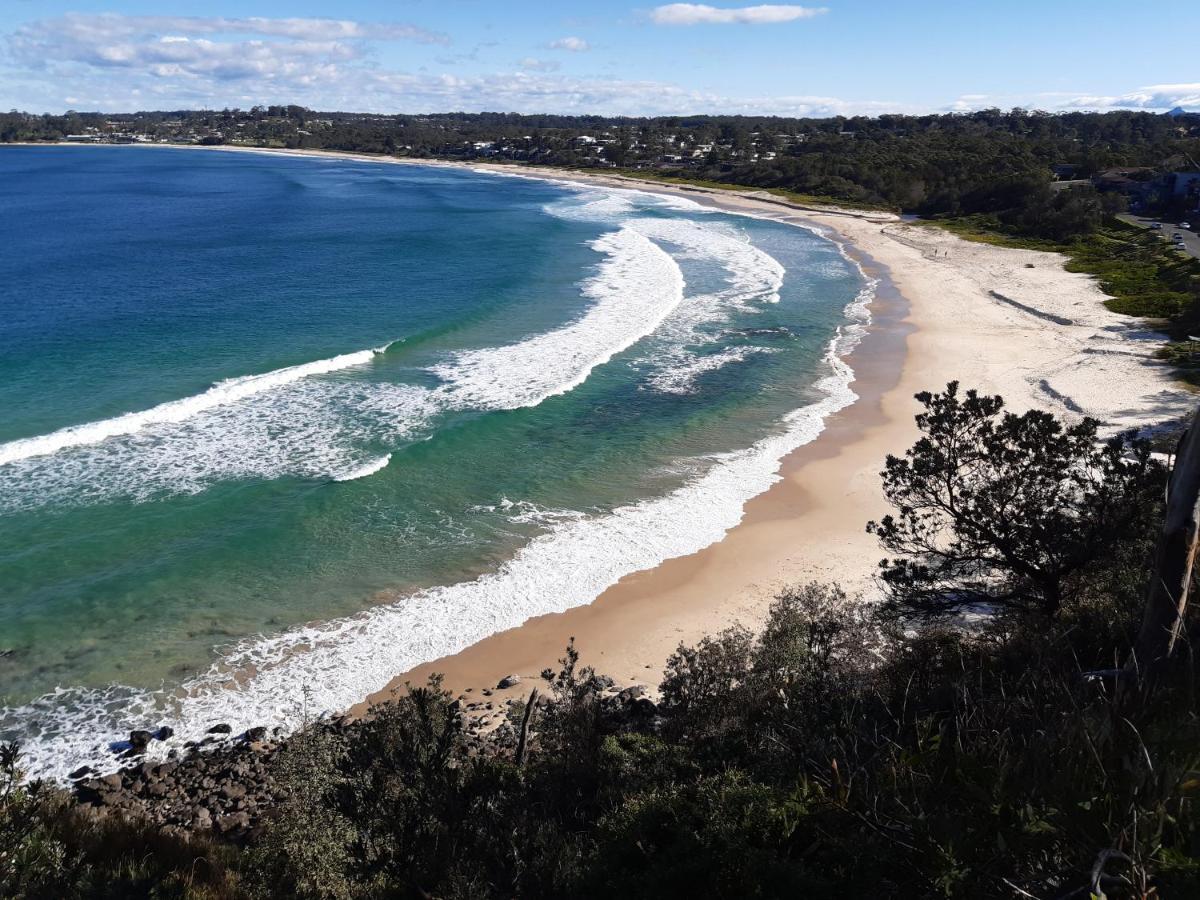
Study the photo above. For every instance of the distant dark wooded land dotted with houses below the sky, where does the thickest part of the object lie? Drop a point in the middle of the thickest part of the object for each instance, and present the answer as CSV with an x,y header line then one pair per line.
x,y
988,161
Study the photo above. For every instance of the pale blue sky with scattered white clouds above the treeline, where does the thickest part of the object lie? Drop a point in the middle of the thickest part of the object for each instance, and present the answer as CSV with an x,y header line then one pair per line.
x,y
604,57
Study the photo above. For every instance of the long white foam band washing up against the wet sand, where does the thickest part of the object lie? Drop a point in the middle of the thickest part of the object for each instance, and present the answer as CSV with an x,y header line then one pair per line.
x,y
328,668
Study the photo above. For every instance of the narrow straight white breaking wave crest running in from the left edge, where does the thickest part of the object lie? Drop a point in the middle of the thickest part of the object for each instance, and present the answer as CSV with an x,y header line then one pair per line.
x,y
177,411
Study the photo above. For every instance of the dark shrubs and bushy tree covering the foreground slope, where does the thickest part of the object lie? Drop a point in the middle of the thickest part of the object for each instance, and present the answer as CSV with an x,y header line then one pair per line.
x,y
833,754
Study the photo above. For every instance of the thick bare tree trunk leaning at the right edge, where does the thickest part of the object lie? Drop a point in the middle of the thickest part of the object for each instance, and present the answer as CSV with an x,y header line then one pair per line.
x,y
1175,561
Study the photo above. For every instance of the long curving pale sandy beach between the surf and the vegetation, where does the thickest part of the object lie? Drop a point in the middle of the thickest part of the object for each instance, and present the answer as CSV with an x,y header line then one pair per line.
x,y
935,319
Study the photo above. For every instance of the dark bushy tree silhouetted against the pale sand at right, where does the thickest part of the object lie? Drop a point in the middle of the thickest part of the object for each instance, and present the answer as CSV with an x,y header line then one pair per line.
x,y
1003,511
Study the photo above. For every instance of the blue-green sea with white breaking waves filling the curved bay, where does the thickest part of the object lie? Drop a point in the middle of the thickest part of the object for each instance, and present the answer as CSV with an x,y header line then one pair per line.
x,y
291,425
